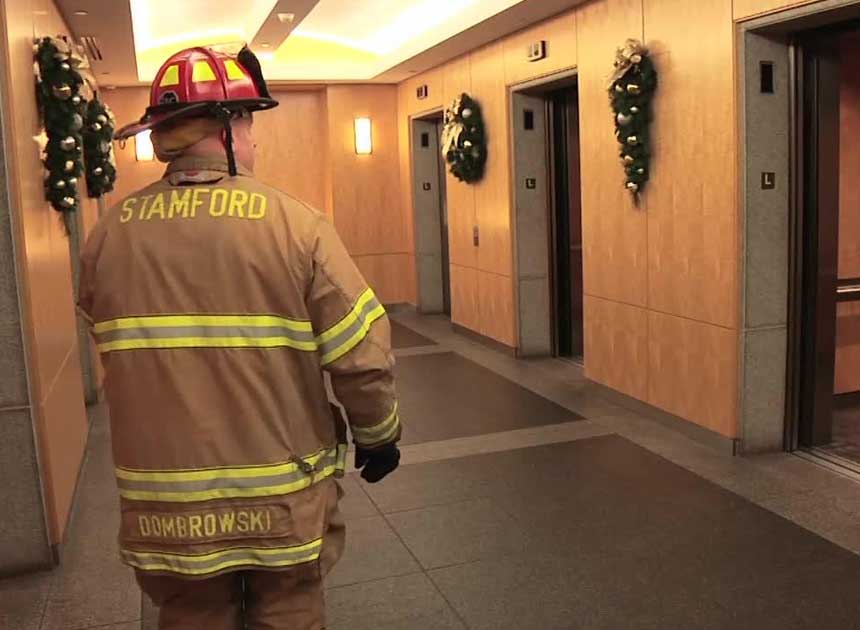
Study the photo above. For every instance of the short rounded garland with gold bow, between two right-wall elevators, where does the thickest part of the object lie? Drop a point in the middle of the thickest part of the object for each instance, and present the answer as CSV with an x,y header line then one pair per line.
x,y
464,143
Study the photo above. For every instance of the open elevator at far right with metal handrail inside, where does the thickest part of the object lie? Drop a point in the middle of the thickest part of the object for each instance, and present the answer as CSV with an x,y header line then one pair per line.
x,y
828,365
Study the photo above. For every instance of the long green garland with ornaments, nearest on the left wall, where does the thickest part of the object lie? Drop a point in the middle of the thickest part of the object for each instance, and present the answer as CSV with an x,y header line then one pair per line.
x,y
58,90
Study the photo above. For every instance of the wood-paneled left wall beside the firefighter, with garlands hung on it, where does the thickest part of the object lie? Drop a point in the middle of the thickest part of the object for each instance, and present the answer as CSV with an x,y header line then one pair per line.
x,y
46,276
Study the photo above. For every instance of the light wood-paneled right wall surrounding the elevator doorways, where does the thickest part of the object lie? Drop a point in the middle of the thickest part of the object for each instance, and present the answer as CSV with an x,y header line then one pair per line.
x,y
660,279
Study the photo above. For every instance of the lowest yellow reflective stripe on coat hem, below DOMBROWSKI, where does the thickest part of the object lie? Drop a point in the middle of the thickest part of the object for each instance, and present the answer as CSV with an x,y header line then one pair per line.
x,y
216,561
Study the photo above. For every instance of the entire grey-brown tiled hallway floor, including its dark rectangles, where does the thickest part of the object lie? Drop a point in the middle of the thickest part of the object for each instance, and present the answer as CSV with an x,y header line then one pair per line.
x,y
527,500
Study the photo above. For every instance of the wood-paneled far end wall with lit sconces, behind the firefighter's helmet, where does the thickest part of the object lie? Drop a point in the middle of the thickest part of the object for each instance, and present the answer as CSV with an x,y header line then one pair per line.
x,y
306,148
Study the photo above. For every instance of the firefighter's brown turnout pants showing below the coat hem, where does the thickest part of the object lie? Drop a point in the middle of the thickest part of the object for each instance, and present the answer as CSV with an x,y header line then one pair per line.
x,y
245,600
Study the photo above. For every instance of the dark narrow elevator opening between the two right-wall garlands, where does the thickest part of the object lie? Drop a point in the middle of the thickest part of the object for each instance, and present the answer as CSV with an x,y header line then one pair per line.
x,y
566,222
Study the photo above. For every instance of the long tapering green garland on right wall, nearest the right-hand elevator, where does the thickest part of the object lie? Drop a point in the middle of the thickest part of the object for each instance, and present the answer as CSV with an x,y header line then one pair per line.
x,y
631,91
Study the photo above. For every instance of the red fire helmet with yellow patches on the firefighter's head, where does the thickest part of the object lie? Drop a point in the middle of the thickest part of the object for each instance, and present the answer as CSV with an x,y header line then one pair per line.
x,y
204,82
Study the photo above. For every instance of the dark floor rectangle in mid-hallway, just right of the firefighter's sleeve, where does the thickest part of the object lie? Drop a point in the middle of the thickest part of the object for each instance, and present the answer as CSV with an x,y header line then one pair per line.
x,y
444,396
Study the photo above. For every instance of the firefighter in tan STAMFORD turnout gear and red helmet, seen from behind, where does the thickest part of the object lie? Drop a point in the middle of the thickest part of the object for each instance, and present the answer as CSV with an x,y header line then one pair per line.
x,y
217,305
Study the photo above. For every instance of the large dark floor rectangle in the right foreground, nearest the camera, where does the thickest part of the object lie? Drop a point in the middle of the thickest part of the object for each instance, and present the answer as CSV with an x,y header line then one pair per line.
x,y
603,534
